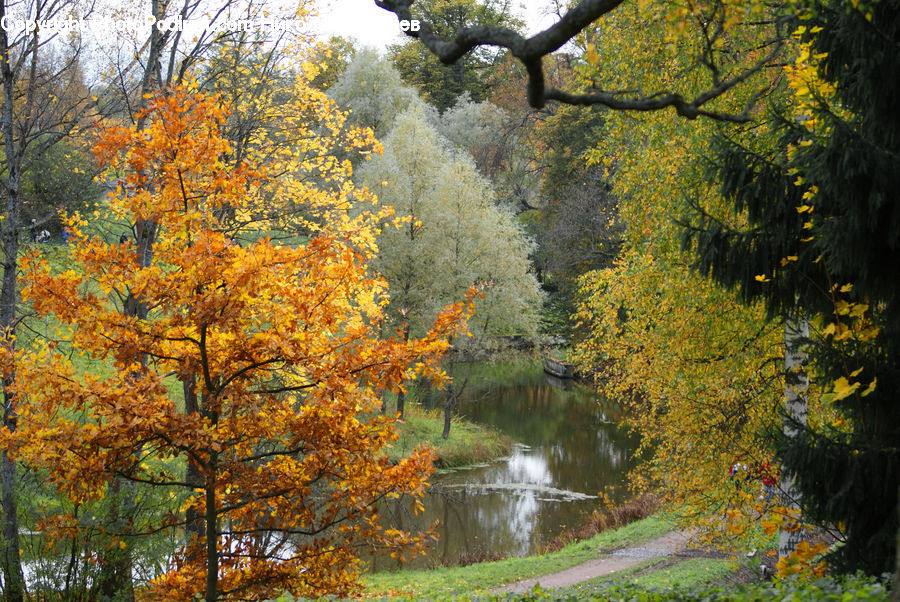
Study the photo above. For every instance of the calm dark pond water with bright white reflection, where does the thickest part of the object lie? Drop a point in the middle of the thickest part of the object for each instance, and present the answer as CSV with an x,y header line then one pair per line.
x,y
569,448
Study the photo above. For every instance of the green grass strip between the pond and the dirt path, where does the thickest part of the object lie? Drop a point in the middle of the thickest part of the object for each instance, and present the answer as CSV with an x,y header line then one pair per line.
x,y
487,575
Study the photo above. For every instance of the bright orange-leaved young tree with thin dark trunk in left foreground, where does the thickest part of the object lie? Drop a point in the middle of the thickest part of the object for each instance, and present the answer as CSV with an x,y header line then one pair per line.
x,y
278,353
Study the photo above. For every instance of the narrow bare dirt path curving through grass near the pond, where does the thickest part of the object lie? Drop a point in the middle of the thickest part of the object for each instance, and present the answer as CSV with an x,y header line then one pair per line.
x,y
617,560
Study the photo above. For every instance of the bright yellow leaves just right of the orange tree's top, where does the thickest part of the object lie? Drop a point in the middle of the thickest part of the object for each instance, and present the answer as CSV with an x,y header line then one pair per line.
x,y
278,119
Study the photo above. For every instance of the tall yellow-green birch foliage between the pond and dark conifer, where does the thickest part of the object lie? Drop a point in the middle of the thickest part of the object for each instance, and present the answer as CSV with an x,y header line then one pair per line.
x,y
700,375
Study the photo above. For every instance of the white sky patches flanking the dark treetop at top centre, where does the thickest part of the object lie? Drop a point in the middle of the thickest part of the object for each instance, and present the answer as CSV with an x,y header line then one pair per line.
x,y
372,26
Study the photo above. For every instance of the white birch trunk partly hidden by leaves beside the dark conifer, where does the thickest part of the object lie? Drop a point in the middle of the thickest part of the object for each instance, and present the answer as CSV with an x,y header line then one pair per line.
x,y
796,383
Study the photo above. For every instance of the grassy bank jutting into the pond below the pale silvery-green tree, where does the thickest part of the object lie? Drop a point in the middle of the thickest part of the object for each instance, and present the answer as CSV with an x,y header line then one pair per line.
x,y
467,444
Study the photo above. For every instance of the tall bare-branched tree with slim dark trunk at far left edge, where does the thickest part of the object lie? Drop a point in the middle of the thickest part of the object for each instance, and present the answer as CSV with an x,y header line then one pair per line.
x,y
44,101
